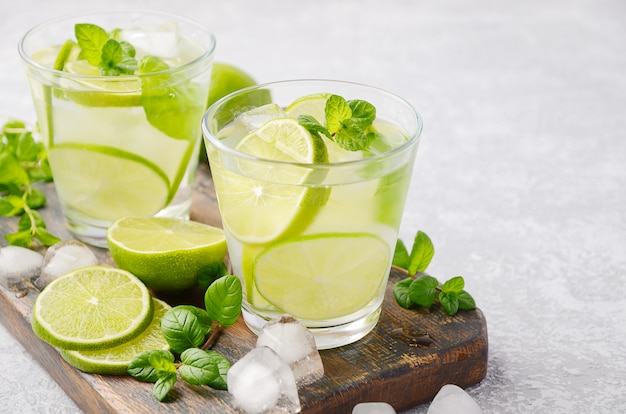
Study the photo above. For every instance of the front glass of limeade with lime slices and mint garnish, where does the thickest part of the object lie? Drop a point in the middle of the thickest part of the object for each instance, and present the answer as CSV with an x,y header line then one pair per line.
x,y
311,227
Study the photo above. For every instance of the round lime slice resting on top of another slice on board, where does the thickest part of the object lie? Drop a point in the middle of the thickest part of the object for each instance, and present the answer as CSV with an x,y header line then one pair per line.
x,y
92,308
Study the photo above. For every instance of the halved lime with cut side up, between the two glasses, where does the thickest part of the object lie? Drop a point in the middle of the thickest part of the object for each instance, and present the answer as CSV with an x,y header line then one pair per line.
x,y
165,253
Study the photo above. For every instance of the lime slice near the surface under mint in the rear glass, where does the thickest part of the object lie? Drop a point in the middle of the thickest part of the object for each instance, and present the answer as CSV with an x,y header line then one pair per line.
x,y
91,88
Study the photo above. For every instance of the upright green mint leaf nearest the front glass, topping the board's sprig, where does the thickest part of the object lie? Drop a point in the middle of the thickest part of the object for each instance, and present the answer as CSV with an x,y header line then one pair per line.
x,y
223,300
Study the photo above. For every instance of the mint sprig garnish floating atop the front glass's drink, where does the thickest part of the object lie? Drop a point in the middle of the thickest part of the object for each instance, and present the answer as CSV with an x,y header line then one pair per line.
x,y
348,123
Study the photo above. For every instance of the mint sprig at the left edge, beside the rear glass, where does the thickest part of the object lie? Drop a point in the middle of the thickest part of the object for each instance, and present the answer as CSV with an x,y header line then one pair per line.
x,y
23,162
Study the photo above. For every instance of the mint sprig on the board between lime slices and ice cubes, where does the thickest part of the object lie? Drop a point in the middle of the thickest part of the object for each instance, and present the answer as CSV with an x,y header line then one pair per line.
x,y
186,327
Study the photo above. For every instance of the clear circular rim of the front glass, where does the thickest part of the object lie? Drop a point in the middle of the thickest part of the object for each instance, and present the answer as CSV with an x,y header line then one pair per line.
x,y
219,144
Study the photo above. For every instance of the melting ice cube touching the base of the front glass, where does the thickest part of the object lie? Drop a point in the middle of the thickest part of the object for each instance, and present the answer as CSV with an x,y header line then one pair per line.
x,y
295,344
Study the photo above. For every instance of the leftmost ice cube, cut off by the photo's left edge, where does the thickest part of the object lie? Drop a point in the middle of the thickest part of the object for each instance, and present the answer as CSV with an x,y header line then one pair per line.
x,y
18,264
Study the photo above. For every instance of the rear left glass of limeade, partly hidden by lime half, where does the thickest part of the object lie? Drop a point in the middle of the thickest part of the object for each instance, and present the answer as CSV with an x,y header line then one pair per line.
x,y
122,136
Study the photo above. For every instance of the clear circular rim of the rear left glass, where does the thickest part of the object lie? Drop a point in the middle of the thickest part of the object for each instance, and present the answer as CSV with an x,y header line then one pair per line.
x,y
26,58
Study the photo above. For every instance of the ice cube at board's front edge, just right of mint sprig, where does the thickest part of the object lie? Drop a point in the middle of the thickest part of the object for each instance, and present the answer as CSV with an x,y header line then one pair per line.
x,y
261,382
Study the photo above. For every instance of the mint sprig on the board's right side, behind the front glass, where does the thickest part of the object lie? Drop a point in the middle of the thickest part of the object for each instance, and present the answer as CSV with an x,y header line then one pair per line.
x,y
421,289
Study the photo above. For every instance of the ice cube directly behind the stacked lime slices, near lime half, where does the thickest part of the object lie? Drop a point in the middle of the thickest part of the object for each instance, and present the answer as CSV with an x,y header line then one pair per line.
x,y
62,258
